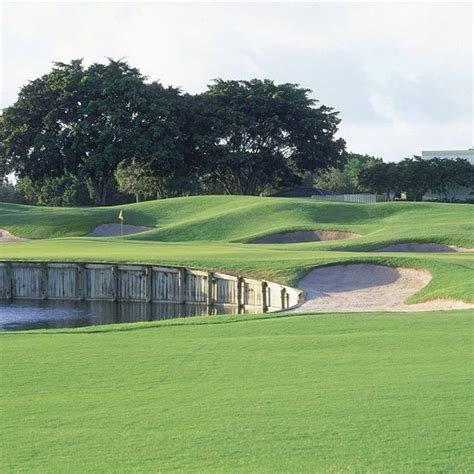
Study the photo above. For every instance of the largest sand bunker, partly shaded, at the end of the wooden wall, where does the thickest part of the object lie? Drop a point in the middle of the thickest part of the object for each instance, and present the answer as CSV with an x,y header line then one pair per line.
x,y
363,287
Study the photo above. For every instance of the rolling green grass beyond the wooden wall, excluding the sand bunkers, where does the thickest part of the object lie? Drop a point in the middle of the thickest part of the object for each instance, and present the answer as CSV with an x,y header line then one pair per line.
x,y
207,232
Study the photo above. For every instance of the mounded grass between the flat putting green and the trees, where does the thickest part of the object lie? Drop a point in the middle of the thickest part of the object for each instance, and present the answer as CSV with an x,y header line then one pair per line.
x,y
243,218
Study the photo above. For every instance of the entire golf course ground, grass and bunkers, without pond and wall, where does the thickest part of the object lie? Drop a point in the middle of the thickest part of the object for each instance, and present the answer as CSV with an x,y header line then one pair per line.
x,y
346,390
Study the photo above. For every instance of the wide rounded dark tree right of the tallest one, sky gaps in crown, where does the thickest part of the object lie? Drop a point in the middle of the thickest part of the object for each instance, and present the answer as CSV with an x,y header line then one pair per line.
x,y
255,134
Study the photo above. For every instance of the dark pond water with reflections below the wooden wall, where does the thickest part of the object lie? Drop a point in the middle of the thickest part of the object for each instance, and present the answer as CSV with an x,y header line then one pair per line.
x,y
18,315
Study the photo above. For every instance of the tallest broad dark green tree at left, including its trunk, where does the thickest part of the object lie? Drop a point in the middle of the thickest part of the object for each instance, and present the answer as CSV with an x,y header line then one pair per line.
x,y
79,120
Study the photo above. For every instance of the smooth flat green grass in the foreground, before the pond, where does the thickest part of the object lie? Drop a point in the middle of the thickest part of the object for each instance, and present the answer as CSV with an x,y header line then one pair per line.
x,y
327,393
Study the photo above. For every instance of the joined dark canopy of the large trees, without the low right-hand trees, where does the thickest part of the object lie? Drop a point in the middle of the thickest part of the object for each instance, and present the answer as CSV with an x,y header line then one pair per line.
x,y
238,137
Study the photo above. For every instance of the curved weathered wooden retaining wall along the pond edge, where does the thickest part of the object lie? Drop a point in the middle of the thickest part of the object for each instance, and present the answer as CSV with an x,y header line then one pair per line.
x,y
141,283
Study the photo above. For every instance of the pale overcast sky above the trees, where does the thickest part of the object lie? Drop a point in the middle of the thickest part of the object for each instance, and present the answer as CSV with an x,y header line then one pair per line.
x,y
400,74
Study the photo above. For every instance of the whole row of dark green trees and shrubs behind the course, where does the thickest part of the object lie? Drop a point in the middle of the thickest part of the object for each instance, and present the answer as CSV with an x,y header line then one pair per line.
x,y
96,135
